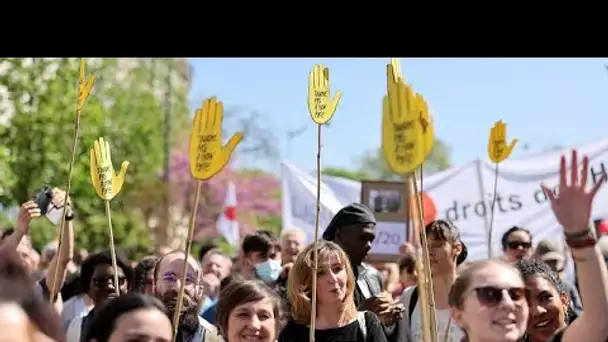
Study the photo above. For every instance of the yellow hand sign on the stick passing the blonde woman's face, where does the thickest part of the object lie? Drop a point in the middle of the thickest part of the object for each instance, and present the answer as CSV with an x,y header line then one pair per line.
x,y
320,107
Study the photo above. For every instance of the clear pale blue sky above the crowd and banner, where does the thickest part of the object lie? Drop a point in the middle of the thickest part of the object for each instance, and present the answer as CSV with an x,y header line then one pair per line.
x,y
545,102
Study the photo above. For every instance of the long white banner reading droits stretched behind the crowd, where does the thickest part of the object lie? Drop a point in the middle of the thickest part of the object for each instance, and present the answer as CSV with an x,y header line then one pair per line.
x,y
462,195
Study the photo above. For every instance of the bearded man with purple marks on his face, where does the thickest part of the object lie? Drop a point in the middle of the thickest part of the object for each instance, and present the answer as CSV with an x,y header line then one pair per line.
x,y
168,275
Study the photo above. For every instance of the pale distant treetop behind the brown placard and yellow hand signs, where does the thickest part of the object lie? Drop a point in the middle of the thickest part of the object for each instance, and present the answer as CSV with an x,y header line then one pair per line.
x,y
374,163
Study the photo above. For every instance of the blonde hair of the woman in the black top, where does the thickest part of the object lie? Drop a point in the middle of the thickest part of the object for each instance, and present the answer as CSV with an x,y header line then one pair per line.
x,y
299,287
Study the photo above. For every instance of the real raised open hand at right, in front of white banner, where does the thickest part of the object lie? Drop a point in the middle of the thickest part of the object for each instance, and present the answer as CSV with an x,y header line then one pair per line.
x,y
572,204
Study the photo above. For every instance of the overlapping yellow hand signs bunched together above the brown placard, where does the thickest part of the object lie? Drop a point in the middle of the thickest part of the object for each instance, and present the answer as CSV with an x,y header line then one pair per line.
x,y
402,133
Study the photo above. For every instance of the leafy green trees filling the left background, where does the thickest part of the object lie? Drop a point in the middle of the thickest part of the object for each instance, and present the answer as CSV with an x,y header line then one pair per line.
x,y
39,111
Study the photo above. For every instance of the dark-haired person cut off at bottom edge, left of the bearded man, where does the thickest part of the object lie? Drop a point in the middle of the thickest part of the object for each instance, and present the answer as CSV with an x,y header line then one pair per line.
x,y
132,317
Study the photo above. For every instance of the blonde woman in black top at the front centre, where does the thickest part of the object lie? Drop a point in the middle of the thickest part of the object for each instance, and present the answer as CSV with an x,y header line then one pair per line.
x,y
337,317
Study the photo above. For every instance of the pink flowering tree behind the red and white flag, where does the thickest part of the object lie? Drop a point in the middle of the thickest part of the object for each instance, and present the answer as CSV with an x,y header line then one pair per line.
x,y
257,192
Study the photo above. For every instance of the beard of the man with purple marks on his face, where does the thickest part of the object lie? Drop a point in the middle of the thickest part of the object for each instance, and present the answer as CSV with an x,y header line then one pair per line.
x,y
188,320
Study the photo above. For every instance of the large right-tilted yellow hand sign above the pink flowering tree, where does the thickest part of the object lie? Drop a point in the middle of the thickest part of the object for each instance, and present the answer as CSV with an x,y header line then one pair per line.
x,y
207,155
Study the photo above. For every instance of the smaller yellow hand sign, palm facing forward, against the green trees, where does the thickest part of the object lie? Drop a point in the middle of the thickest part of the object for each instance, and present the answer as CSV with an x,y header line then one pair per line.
x,y
107,184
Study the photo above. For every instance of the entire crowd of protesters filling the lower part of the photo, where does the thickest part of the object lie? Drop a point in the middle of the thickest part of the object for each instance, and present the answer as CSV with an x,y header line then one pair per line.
x,y
264,293
